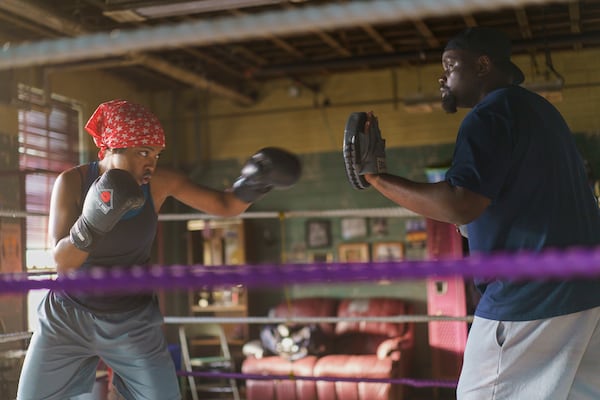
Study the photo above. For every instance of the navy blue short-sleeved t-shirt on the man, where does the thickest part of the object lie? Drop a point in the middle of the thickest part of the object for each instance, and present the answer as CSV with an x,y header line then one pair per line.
x,y
515,148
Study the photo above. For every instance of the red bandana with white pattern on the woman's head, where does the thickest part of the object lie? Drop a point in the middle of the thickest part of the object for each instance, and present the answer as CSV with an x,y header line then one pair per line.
x,y
119,124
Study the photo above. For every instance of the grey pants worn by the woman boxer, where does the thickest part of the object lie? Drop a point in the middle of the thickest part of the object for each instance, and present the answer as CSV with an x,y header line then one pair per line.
x,y
64,352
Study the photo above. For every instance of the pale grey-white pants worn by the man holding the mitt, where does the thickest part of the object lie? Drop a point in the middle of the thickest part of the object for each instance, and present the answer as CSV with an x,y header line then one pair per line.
x,y
549,359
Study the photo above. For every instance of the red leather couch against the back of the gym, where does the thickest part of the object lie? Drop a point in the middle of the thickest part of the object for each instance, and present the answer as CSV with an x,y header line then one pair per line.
x,y
356,349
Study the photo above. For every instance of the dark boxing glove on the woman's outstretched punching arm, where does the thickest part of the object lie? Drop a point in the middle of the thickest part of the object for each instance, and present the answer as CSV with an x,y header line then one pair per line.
x,y
269,168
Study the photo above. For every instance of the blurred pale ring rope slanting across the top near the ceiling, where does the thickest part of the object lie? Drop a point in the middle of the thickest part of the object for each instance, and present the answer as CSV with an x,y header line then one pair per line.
x,y
238,28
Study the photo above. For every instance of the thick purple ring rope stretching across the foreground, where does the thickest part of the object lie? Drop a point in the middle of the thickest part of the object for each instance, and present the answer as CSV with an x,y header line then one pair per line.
x,y
574,262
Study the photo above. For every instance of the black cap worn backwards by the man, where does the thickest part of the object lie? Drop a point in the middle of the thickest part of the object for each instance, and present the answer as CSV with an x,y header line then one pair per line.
x,y
491,42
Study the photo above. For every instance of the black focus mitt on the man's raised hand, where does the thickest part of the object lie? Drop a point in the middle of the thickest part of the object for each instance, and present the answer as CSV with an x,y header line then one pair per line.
x,y
364,150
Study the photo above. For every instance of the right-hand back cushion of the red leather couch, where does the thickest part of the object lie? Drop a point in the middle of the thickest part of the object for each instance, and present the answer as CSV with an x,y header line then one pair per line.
x,y
371,307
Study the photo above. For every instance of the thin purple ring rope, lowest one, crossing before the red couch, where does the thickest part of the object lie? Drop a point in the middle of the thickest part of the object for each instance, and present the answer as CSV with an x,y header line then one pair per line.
x,y
420,383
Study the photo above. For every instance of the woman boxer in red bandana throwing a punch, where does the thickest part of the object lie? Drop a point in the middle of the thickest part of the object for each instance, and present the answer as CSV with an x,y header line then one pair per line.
x,y
104,213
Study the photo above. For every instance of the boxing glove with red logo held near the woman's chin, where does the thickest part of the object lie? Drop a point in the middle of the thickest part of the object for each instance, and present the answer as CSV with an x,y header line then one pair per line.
x,y
111,196
